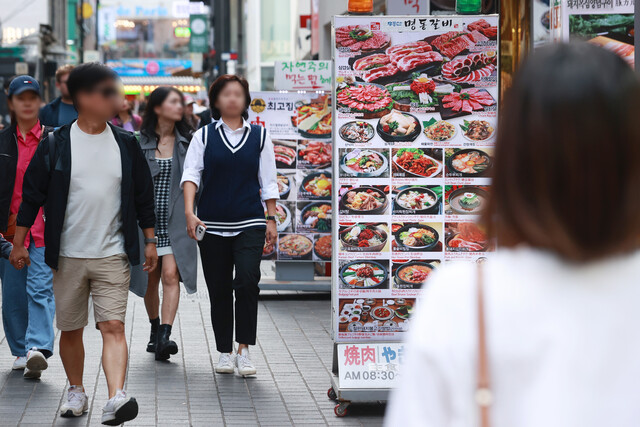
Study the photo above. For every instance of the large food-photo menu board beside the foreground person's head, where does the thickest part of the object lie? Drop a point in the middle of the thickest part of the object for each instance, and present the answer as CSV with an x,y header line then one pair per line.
x,y
416,101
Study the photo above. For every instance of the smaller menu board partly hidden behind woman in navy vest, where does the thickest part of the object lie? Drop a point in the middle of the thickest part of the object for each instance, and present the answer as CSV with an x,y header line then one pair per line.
x,y
300,127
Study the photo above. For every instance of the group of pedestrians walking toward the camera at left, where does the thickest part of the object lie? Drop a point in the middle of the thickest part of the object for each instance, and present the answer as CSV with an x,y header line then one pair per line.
x,y
96,200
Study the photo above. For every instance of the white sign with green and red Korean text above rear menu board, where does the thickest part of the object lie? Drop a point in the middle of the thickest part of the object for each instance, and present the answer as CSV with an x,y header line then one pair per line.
x,y
303,75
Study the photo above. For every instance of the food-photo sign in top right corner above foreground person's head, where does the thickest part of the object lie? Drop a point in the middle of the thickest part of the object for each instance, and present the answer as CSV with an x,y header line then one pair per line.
x,y
606,23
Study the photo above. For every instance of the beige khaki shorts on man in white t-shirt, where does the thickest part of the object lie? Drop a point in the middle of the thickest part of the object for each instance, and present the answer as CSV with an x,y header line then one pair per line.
x,y
106,279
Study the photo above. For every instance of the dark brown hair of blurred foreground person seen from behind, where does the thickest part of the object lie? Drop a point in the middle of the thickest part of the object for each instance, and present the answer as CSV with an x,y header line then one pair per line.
x,y
566,177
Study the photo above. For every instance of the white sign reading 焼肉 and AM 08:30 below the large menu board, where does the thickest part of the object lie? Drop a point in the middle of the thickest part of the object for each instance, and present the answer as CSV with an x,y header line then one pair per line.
x,y
372,365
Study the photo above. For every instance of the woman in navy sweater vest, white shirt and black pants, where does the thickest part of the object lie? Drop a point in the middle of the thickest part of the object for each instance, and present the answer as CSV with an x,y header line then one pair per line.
x,y
231,164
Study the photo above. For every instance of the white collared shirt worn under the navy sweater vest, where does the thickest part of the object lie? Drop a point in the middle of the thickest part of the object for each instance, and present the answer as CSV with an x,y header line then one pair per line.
x,y
267,174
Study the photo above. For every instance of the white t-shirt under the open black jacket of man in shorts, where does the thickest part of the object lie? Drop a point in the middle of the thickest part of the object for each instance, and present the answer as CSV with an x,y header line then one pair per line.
x,y
92,225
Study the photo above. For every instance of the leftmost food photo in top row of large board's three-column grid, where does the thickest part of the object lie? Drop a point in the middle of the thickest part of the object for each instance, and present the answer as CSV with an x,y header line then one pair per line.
x,y
364,163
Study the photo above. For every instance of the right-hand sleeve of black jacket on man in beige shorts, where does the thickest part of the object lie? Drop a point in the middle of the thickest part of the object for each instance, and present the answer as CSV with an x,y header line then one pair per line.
x,y
143,189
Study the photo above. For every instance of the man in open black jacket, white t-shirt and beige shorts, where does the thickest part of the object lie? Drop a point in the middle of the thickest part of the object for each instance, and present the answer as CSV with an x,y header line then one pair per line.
x,y
94,183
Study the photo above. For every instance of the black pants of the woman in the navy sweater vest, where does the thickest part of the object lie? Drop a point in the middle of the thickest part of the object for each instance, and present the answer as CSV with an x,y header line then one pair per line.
x,y
219,257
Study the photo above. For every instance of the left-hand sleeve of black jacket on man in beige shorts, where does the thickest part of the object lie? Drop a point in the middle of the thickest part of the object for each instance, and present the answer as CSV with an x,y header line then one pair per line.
x,y
34,187
